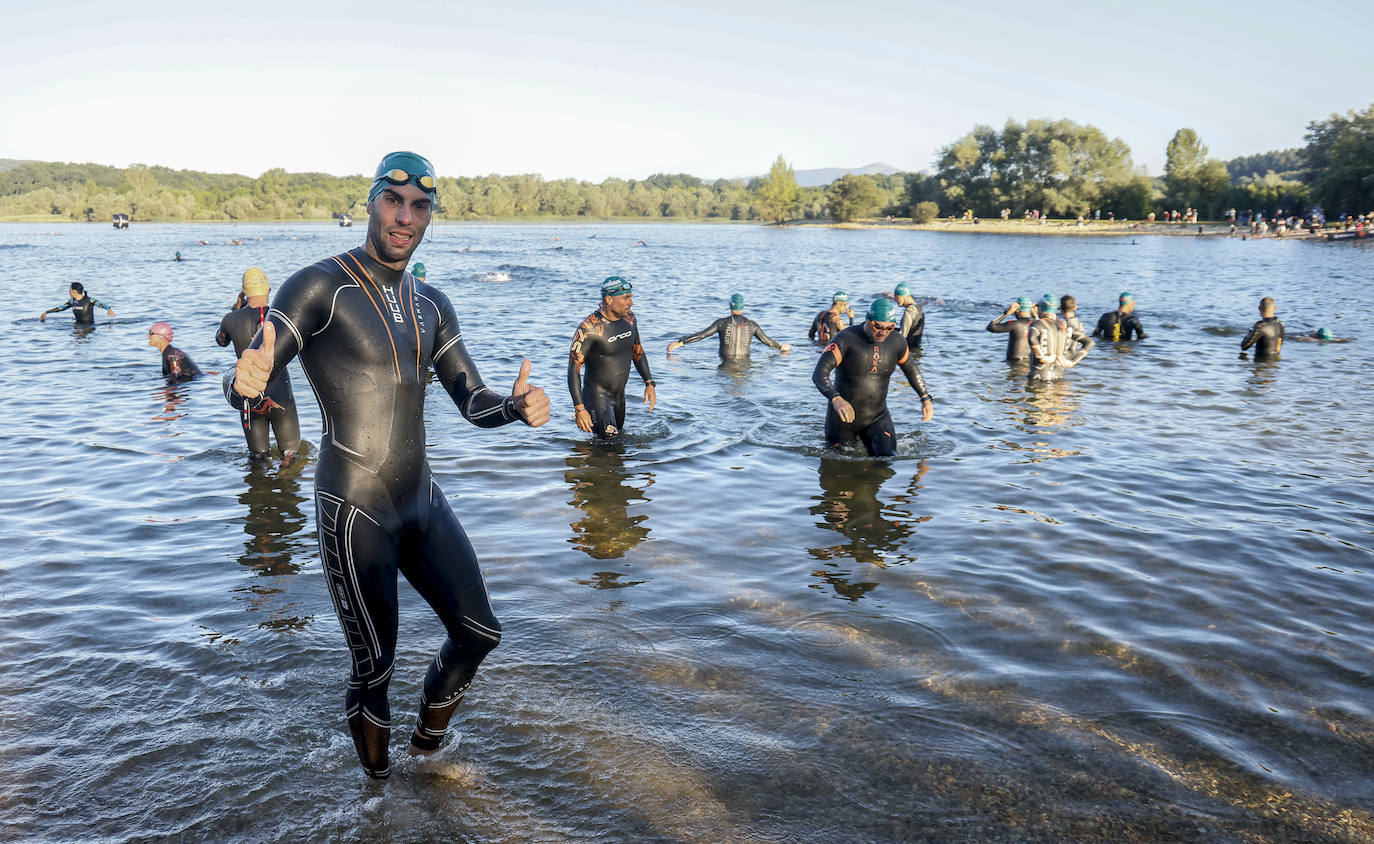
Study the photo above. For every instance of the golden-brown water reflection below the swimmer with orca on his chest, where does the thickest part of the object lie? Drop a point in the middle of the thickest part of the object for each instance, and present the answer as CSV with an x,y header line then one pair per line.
x,y
604,491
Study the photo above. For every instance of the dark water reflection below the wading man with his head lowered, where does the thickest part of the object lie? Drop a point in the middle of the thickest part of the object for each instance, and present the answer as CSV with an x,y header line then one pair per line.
x,y
875,534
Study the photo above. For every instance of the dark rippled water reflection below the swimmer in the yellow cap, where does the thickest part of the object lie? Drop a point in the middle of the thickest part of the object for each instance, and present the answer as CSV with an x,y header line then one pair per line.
x,y
273,537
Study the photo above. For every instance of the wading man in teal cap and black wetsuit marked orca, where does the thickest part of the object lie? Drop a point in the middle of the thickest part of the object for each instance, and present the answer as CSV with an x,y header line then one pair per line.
x,y
608,343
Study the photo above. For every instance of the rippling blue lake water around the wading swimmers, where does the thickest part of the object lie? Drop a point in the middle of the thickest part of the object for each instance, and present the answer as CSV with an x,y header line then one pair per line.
x,y
1130,606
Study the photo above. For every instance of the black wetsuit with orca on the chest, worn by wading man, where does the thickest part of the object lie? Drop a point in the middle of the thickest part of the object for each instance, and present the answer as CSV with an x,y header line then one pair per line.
x,y
608,348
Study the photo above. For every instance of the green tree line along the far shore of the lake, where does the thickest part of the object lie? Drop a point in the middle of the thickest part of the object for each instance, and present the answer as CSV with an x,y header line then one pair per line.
x,y
1059,168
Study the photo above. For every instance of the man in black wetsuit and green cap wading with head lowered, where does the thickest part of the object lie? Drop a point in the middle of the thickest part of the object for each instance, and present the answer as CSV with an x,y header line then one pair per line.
x,y
865,358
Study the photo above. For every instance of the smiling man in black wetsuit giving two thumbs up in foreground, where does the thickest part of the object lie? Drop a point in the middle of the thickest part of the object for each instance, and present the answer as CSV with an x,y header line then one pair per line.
x,y
368,333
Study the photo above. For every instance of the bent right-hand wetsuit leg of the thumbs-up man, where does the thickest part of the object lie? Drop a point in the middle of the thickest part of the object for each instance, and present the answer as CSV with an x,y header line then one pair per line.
x,y
443,568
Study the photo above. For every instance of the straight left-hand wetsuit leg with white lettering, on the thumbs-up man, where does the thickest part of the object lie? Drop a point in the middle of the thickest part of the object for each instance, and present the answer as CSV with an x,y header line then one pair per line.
x,y
361,564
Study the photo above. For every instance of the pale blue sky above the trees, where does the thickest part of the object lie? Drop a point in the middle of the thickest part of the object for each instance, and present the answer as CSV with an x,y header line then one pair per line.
x,y
600,89
